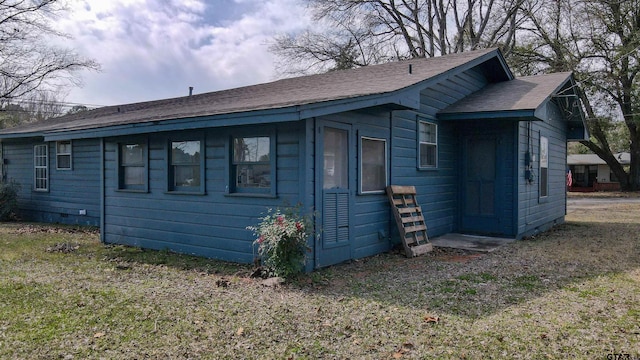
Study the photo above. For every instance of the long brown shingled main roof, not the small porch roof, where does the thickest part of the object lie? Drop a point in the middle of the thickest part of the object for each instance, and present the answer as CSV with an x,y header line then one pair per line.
x,y
293,92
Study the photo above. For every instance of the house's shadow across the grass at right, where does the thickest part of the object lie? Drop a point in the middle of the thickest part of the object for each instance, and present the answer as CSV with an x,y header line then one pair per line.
x,y
473,285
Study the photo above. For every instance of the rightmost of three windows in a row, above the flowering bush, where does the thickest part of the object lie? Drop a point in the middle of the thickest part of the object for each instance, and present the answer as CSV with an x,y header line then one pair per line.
x,y
251,164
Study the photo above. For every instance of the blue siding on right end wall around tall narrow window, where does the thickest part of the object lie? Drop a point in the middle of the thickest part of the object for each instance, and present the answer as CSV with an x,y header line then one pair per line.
x,y
536,214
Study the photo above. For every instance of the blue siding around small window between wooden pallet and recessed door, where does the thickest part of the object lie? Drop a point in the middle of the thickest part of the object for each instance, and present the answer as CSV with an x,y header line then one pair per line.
x,y
438,189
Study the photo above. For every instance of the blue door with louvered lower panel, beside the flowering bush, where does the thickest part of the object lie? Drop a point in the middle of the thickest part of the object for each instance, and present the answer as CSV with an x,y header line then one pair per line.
x,y
333,193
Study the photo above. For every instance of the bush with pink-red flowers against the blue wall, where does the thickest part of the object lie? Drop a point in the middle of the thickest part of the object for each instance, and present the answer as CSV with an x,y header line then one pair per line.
x,y
281,238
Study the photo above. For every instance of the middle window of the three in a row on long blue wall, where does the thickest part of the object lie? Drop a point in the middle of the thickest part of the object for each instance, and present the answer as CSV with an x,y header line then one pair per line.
x,y
185,170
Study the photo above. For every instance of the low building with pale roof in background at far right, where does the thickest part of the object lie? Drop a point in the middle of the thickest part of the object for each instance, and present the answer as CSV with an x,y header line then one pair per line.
x,y
591,173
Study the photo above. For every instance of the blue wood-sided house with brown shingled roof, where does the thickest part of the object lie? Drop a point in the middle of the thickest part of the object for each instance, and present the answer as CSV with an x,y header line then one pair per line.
x,y
486,152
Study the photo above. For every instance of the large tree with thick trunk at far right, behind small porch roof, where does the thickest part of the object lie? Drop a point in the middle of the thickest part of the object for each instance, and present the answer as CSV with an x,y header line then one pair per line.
x,y
600,41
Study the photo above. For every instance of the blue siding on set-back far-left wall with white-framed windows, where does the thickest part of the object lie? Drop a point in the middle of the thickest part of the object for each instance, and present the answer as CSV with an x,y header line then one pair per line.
x,y
70,191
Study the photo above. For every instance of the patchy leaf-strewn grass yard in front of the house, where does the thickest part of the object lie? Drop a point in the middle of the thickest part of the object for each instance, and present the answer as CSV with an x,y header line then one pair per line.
x,y
571,292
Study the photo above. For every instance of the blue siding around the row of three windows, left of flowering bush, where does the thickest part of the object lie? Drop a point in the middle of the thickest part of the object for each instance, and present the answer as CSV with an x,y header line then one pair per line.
x,y
212,224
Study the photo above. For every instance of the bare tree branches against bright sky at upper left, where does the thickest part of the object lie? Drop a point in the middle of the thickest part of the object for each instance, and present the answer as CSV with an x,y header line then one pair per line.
x,y
28,60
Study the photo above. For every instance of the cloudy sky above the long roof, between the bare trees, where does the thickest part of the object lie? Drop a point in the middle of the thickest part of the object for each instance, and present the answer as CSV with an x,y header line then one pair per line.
x,y
154,49
